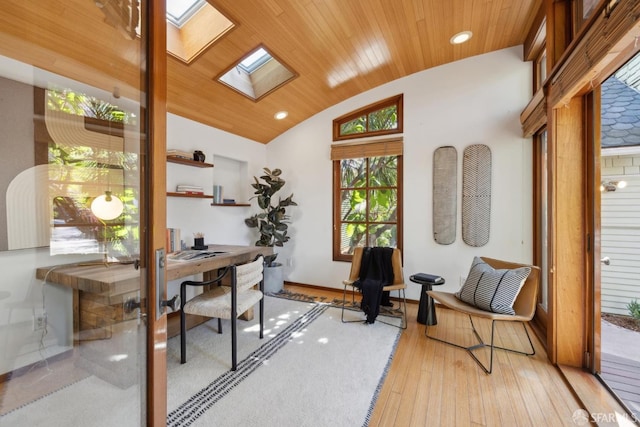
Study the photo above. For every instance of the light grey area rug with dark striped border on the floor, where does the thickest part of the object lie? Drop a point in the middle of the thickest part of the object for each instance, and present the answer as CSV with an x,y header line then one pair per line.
x,y
309,370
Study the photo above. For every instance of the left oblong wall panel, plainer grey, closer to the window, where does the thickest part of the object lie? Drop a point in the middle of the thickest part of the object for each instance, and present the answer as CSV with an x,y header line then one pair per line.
x,y
445,184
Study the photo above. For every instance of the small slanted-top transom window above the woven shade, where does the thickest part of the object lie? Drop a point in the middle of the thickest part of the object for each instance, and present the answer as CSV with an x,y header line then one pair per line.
x,y
381,118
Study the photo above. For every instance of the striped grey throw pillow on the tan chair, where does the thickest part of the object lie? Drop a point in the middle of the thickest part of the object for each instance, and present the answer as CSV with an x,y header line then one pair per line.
x,y
492,290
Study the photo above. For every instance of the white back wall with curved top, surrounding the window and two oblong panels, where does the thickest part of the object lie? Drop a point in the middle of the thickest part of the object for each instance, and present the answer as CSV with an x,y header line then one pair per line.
x,y
477,100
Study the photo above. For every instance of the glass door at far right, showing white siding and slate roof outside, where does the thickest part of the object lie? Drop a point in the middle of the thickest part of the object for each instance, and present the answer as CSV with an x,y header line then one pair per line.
x,y
618,361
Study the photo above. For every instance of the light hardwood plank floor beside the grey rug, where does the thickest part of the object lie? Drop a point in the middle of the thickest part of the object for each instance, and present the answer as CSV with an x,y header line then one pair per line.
x,y
431,383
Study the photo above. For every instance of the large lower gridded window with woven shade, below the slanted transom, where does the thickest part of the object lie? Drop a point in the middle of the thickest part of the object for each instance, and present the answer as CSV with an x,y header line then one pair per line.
x,y
367,192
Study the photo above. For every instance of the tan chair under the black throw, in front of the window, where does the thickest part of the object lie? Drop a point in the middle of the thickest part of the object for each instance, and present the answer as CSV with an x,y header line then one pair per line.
x,y
397,285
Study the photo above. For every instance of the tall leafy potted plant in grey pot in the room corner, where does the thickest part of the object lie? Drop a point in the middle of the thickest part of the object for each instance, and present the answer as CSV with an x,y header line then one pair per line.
x,y
272,223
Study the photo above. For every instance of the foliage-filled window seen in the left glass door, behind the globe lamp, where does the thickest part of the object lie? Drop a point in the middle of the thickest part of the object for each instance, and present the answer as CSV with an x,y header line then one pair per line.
x,y
85,139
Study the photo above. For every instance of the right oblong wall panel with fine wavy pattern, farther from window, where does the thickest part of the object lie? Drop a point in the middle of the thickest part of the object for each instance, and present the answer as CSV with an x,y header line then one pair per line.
x,y
476,195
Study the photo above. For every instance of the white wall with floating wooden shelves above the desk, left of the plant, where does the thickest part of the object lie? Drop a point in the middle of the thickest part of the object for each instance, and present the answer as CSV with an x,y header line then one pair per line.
x,y
220,224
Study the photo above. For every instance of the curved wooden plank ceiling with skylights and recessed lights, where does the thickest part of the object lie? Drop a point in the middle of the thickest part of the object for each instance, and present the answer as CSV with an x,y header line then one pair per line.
x,y
338,48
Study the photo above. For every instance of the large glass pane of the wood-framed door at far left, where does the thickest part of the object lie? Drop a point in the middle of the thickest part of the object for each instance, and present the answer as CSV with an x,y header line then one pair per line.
x,y
73,102
